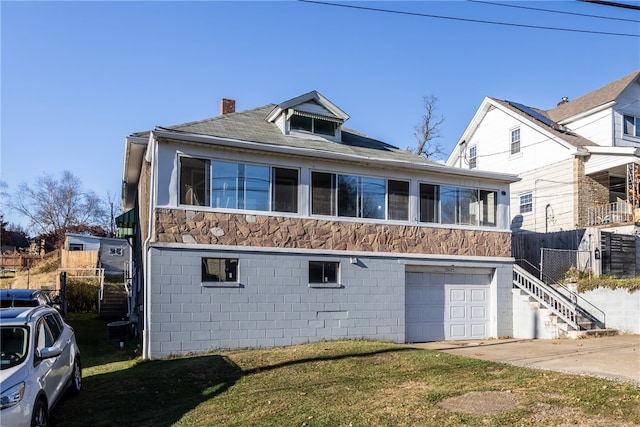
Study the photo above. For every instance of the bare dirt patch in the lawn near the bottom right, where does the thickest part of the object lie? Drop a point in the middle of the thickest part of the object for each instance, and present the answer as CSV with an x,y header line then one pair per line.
x,y
481,402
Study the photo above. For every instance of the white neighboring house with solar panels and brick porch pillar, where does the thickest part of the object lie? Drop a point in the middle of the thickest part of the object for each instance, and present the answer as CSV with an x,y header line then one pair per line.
x,y
579,162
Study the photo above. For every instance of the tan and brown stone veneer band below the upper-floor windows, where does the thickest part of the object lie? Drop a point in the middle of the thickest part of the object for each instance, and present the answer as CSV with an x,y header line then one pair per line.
x,y
194,227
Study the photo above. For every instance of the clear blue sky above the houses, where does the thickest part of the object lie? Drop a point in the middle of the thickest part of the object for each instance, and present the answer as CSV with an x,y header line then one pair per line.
x,y
77,77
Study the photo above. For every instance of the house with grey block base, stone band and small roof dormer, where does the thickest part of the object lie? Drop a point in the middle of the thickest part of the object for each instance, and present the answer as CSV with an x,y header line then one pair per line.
x,y
277,226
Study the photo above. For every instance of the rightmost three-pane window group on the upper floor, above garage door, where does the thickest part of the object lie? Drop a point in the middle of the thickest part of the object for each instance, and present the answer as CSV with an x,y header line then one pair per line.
x,y
456,205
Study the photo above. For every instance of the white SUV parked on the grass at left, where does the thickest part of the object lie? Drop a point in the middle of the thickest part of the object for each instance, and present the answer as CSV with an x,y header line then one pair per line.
x,y
39,361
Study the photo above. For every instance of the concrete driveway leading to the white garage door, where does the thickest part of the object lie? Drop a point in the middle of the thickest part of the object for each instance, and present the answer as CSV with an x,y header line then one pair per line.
x,y
613,357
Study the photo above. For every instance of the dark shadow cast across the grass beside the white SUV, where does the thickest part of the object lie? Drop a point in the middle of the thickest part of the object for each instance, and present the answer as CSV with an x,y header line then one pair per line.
x,y
160,393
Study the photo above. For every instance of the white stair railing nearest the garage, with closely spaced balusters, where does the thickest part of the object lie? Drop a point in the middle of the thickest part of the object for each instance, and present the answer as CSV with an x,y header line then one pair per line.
x,y
546,295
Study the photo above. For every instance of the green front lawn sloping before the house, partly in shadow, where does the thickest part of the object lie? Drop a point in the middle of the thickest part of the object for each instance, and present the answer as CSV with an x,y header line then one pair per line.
x,y
342,383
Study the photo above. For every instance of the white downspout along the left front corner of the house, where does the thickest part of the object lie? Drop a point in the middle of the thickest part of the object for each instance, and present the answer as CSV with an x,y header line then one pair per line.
x,y
146,338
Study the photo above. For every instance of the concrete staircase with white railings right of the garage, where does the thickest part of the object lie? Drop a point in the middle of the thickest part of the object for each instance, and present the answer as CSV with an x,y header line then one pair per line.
x,y
559,313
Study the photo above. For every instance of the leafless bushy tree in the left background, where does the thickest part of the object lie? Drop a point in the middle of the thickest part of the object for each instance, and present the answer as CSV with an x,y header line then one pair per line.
x,y
55,206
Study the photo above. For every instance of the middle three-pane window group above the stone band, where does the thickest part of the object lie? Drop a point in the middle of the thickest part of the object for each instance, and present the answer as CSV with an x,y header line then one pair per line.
x,y
359,197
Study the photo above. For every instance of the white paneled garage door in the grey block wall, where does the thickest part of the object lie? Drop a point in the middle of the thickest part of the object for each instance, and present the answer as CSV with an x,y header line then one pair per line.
x,y
447,306
